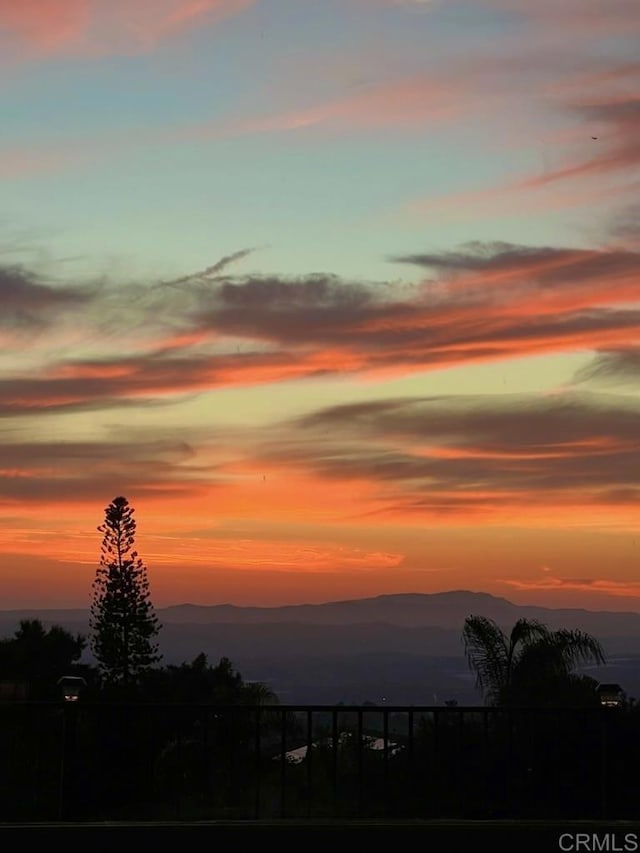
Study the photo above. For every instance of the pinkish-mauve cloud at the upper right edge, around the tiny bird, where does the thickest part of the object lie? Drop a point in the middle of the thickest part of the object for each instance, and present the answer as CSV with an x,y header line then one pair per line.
x,y
592,158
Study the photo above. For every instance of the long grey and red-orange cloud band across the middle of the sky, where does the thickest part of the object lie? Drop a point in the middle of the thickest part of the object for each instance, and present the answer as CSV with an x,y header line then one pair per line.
x,y
479,303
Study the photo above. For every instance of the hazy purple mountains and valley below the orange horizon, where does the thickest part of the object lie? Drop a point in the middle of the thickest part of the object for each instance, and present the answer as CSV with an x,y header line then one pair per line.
x,y
396,649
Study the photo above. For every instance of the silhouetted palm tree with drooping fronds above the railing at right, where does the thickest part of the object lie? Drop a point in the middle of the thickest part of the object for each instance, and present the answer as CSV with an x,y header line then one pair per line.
x,y
532,665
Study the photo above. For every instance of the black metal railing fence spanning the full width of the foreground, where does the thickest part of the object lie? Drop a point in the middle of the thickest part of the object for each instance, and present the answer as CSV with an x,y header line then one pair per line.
x,y
77,761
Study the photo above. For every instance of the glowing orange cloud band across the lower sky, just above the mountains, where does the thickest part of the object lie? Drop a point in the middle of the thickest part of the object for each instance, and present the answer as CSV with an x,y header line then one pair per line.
x,y
244,521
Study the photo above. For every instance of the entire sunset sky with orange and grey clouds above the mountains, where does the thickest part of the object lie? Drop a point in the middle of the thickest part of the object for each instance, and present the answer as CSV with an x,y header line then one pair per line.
x,y
342,295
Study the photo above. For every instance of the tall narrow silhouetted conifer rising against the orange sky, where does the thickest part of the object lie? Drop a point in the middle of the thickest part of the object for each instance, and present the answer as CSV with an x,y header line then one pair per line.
x,y
123,621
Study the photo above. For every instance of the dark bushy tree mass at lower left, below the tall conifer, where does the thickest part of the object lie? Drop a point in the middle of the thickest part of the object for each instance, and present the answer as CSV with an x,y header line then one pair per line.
x,y
123,747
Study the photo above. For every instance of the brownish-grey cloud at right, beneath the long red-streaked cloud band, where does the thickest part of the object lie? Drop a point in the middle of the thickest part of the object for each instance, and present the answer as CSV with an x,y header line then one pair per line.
x,y
501,457
